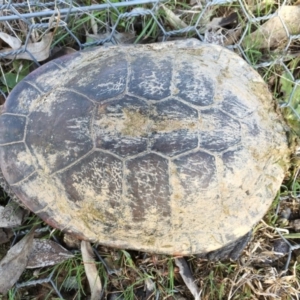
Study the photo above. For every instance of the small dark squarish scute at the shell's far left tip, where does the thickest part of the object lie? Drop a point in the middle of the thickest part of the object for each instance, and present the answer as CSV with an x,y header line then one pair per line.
x,y
12,128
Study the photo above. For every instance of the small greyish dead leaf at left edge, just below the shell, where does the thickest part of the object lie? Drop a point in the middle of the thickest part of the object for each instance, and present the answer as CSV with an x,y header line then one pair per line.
x,y
11,216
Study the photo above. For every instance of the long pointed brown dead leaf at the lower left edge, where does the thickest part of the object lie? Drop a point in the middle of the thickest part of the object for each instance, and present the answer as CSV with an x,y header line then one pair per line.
x,y
14,263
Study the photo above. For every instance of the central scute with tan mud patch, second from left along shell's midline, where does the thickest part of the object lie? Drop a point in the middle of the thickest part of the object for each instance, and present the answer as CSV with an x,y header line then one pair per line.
x,y
120,126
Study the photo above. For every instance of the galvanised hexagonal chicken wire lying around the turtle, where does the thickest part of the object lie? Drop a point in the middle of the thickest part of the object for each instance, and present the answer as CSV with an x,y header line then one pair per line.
x,y
33,19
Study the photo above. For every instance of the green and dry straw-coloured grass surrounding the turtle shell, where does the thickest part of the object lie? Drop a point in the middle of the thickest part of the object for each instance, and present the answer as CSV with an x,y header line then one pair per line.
x,y
137,273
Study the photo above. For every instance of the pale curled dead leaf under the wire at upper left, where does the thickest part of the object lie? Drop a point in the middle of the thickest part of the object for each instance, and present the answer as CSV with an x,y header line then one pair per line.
x,y
39,50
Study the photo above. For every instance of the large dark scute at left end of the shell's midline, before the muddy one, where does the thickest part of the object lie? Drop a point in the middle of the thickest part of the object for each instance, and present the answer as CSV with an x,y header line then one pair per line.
x,y
58,131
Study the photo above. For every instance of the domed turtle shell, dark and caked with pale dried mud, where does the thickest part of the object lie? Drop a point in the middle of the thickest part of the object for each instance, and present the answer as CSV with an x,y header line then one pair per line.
x,y
175,148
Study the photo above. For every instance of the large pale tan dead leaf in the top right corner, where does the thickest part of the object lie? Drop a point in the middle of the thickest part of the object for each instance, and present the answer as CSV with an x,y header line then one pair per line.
x,y
273,33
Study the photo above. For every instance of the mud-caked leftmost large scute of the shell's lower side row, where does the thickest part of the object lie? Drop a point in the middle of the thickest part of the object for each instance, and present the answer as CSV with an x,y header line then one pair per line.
x,y
94,184
